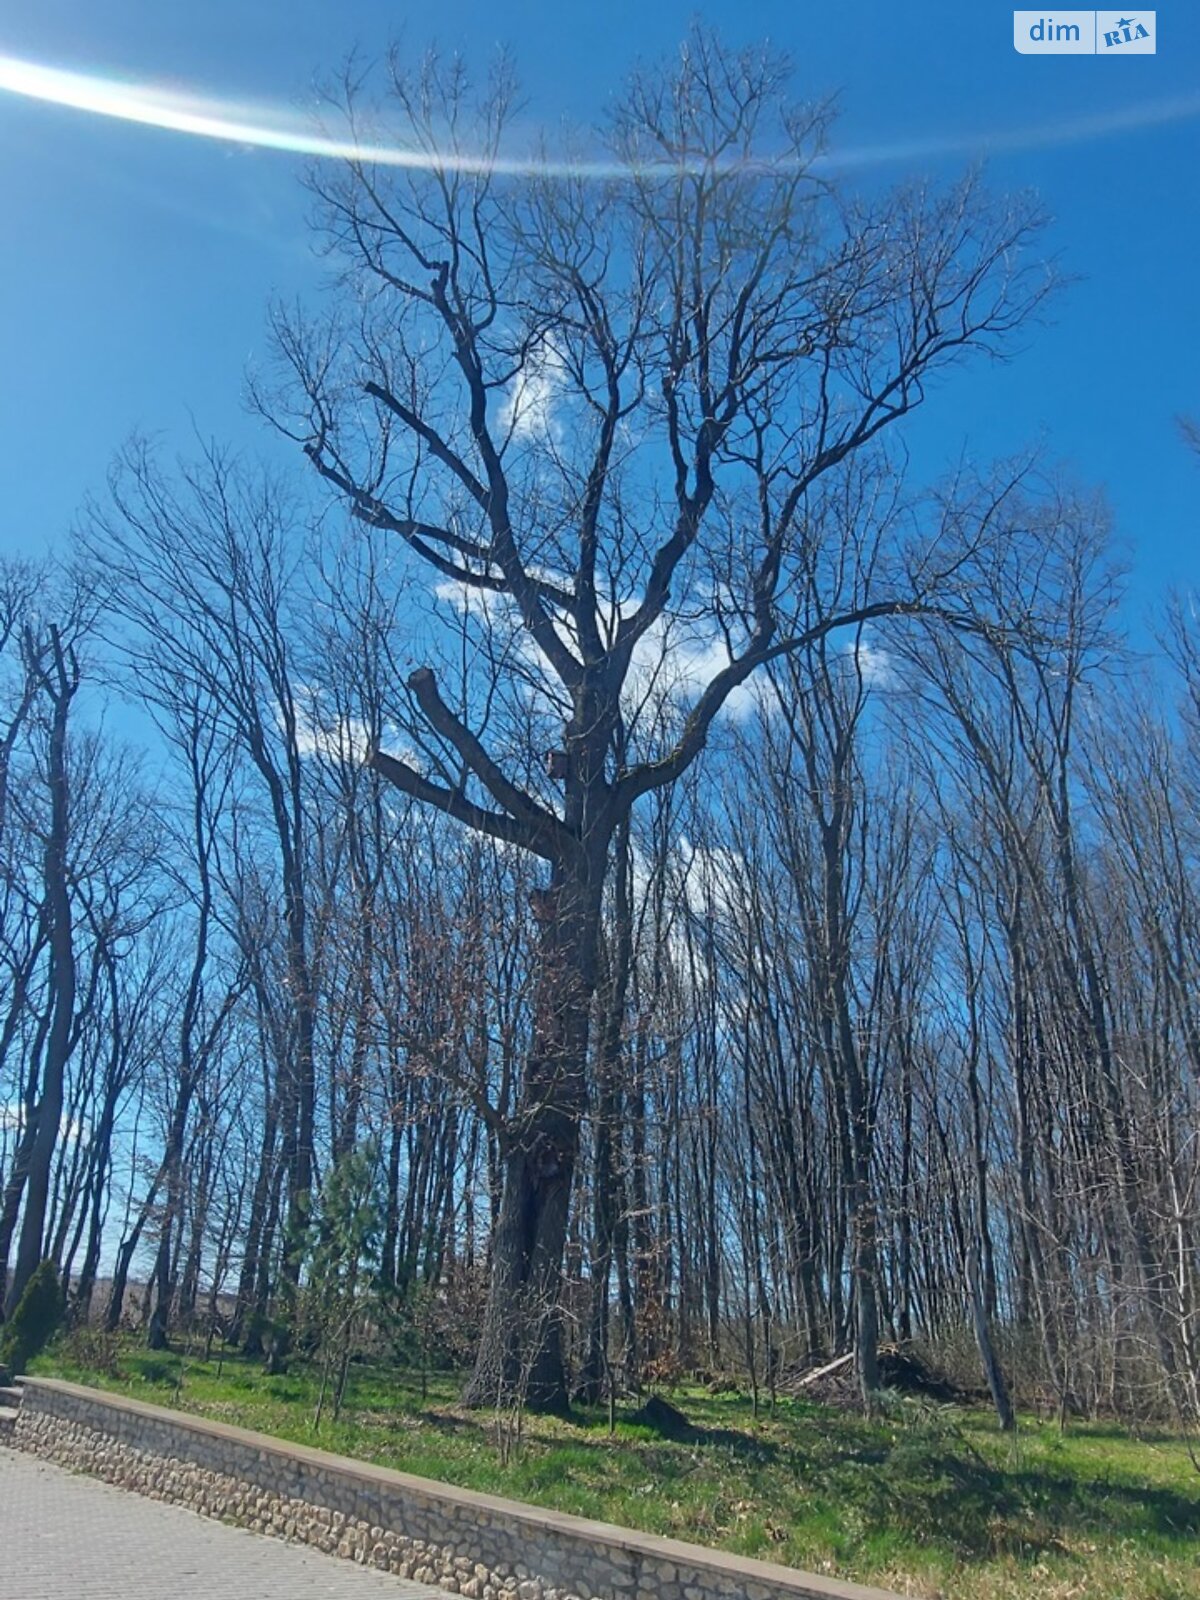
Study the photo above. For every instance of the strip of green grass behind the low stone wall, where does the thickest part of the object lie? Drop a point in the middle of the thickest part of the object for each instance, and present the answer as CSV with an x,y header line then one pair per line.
x,y
927,1502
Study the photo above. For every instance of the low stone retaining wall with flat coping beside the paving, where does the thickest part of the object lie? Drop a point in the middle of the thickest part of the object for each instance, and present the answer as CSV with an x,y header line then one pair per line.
x,y
465,1543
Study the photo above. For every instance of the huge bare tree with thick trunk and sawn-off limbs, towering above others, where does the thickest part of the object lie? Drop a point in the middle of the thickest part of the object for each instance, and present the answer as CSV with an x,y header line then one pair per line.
x,y
598,409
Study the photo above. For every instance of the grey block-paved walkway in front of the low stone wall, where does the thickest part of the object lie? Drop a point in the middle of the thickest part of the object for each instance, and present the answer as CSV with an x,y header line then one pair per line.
x,y
73,1538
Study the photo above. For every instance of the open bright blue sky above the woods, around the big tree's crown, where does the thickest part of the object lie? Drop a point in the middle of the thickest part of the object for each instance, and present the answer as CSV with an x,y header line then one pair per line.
x,y
137,265
